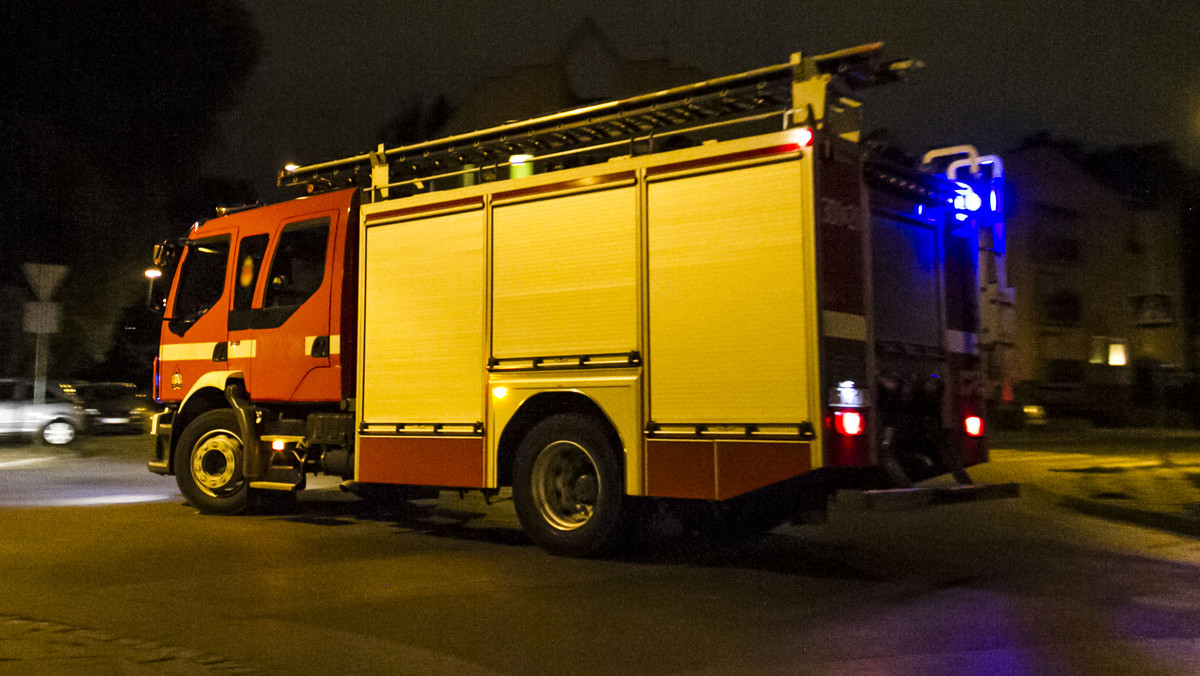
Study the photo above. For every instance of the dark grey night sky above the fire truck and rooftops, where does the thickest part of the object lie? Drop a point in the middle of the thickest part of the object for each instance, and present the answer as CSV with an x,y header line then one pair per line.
x,y
333,74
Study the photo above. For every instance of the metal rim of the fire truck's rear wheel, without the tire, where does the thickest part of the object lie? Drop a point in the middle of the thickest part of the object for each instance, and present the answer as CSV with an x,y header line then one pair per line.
x,y
566,484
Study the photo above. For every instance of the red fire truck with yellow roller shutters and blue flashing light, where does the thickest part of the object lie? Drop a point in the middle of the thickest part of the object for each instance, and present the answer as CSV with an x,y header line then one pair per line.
x,y
710,298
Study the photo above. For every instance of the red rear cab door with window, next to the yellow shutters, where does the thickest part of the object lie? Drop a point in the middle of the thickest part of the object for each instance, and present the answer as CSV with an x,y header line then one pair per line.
x,y
291,325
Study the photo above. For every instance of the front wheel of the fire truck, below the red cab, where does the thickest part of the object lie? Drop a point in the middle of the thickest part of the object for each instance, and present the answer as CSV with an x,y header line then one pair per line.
x,y
208,464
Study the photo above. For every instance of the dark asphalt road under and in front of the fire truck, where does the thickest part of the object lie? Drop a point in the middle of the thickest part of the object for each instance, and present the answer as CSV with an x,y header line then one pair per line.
x,y
104,570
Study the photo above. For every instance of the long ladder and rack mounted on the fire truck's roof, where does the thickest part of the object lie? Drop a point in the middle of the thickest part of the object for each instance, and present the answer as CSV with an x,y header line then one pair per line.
x,y
791,94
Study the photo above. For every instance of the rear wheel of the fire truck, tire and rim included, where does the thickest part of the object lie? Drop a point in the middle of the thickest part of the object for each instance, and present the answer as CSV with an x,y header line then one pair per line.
x,y
568,488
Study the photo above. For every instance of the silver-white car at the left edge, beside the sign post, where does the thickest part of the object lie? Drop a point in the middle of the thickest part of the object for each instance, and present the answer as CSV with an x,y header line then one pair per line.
x,y
57,422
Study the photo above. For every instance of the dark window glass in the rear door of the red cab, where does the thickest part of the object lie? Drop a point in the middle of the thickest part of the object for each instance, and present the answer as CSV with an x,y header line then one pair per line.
x,y
298,267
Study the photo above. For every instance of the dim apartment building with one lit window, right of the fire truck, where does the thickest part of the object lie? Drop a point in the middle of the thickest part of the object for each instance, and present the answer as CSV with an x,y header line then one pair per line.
x,y
1100,289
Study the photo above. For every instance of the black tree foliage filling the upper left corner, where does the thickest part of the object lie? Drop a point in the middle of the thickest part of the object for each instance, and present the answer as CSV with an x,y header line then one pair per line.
x,y
106,112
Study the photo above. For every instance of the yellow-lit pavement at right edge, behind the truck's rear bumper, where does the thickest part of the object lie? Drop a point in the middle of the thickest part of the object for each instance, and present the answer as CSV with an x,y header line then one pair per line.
x,y
1150,477
